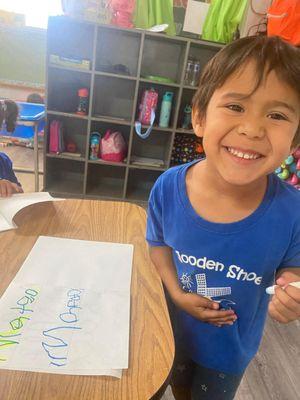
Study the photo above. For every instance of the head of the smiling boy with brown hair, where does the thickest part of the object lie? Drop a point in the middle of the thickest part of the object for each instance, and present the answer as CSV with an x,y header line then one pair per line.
x,y
247,108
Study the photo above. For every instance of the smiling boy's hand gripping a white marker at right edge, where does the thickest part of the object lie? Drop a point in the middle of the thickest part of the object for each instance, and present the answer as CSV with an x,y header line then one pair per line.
x,y
285,304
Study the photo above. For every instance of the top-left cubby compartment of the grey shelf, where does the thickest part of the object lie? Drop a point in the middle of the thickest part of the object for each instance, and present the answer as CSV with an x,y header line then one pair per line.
x,y
68,38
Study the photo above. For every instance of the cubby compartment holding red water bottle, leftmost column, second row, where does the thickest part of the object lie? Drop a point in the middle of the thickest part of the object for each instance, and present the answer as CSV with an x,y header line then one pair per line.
x,y
63,86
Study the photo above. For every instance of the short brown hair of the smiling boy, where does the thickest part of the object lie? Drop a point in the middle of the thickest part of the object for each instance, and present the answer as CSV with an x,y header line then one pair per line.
x,y
269,54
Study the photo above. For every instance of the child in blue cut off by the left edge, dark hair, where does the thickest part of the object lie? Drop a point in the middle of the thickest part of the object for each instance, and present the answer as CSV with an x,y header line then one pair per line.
x,y
8,181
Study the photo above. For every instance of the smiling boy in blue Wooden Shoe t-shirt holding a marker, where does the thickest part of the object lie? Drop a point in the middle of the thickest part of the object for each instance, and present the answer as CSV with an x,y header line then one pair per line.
x,y
223,229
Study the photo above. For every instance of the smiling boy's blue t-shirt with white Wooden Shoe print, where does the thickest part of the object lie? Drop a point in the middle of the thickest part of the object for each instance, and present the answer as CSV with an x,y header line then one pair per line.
x,y
228,262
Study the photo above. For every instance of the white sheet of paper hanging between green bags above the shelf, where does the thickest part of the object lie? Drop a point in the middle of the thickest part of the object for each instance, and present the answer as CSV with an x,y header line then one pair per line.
x,y
195,15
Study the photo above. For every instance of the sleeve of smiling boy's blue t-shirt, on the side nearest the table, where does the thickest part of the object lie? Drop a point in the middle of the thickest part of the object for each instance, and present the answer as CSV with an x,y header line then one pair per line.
x,y
154,233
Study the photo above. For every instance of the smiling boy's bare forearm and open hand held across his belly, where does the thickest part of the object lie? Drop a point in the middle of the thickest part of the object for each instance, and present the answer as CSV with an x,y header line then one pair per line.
x,y
198,306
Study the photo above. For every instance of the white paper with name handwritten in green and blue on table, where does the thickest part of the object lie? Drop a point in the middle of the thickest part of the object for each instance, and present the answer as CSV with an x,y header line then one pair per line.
x,y
67,310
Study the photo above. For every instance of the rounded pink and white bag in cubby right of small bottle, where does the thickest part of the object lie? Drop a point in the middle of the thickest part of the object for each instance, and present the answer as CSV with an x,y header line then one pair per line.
x,y
113,146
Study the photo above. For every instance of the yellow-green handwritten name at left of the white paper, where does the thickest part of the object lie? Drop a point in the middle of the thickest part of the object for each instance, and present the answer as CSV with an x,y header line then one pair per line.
x,y
17,323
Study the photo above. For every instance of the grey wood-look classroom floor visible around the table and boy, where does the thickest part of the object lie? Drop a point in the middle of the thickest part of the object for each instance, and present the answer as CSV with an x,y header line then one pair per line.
x,y
272,375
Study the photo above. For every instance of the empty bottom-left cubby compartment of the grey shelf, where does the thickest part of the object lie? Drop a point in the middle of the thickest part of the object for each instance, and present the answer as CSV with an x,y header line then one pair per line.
x,y
64,176
